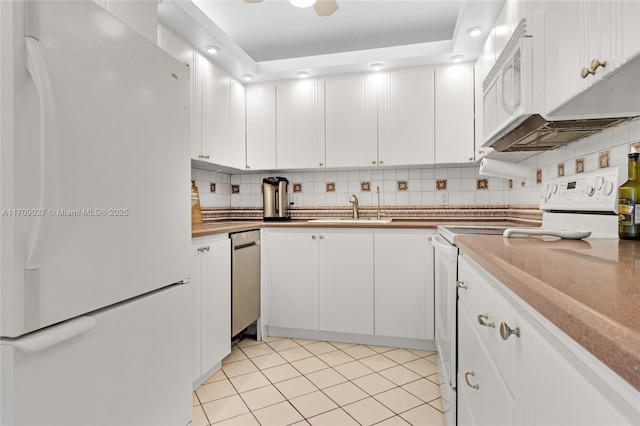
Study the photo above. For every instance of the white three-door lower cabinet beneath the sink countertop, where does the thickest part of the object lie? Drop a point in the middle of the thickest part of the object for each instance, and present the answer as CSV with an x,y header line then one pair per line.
x,y
358,282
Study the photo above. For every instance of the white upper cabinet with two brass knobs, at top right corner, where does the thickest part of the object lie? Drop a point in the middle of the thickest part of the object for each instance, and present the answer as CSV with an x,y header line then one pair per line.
x,y
592,45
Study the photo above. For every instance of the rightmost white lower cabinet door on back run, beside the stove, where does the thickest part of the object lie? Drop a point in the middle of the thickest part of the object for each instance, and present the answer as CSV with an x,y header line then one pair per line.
x,y
404,300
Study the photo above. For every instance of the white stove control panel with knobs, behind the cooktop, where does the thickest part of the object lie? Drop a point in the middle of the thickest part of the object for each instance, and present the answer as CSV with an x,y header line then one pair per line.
x,y
585,192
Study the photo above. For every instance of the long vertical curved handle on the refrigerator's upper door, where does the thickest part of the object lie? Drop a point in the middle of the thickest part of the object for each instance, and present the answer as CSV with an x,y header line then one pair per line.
x,y
37,68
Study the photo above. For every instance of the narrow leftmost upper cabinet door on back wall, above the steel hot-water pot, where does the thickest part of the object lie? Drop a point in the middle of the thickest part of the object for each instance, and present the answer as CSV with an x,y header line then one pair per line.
x,y
261,126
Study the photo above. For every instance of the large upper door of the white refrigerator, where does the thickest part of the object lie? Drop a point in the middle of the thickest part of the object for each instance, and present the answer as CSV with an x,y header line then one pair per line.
x,y
103,161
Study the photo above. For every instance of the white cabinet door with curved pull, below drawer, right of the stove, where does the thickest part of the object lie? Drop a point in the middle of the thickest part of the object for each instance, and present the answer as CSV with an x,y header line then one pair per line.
x,y
483,396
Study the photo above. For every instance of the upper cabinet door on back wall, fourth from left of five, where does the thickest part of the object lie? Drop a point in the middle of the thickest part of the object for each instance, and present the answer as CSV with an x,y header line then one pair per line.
x,y
406,117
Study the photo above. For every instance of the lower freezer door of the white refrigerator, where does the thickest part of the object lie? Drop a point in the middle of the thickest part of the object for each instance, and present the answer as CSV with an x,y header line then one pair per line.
x,y
133,367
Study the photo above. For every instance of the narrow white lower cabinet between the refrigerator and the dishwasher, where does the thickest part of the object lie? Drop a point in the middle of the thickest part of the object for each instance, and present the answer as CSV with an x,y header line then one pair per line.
x,y
211,283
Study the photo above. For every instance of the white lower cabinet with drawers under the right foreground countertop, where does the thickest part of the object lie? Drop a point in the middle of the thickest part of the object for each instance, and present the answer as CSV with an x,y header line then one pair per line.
x,y
515,367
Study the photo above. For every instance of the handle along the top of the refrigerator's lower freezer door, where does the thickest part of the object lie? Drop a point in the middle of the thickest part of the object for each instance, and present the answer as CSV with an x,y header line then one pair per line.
x,y
51,336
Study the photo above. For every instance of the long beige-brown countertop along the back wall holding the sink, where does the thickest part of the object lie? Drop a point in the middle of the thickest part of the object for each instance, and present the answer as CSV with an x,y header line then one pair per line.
x,y
225,226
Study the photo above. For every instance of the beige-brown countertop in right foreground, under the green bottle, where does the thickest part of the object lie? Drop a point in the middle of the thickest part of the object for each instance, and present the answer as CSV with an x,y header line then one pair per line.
x,y
590,289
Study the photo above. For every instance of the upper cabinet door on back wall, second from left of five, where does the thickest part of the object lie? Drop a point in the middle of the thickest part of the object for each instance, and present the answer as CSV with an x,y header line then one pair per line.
x,y
300,124
